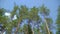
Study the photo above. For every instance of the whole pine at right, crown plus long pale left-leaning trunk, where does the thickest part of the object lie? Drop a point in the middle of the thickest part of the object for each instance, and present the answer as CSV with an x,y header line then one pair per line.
x,y
44,11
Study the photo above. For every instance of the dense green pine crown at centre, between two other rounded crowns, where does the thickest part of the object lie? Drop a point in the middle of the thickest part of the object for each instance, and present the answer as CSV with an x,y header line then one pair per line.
x,y
33,14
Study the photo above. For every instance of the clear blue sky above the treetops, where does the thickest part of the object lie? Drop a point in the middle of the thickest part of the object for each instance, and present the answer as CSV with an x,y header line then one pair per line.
x,y
51,4
